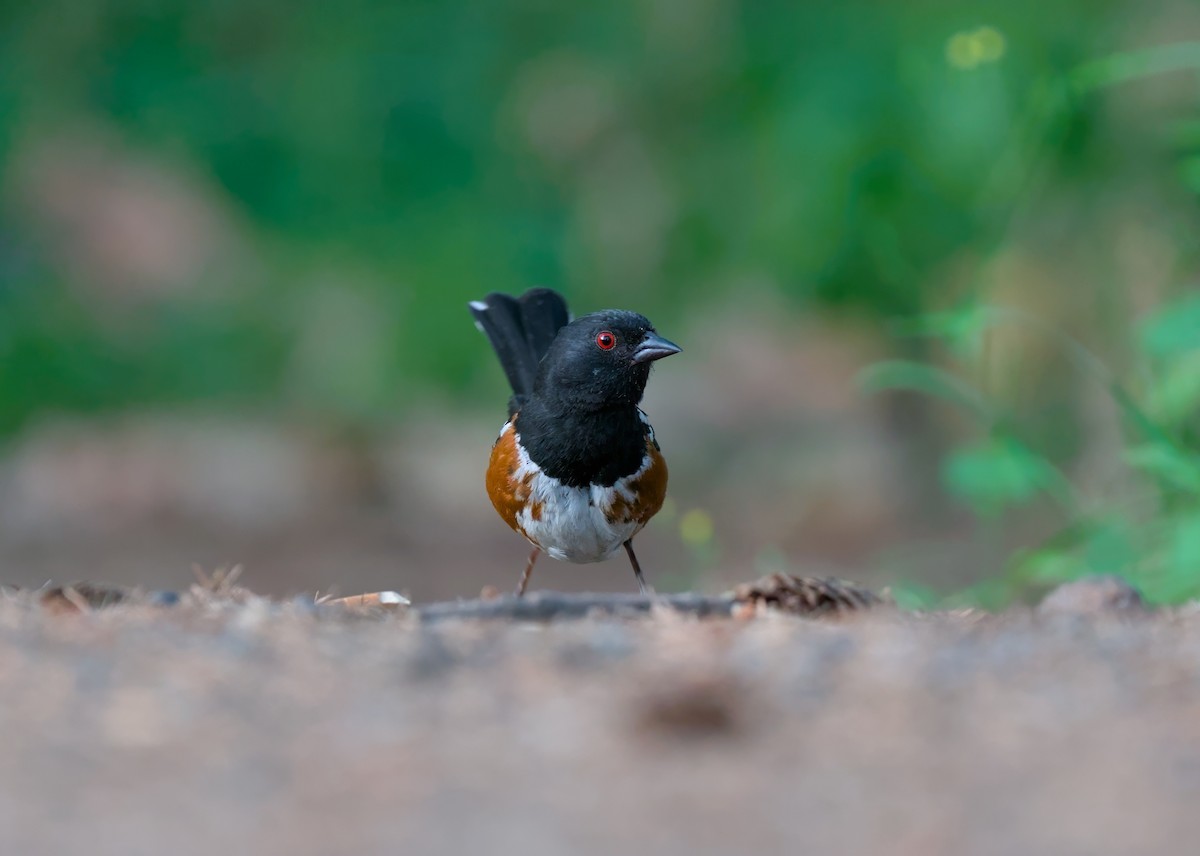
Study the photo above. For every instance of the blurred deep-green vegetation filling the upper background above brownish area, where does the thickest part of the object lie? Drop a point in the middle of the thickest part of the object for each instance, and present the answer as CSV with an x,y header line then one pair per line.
x,y
655,152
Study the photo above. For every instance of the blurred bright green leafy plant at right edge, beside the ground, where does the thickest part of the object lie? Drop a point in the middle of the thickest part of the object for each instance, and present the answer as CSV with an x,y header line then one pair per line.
x,y
1149,534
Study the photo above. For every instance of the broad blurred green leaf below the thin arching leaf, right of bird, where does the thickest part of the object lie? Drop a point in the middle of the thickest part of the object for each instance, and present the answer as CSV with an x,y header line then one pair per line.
x,y
997,475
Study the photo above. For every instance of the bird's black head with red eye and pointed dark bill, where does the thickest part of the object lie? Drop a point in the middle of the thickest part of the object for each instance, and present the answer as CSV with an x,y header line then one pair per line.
x,y
601,361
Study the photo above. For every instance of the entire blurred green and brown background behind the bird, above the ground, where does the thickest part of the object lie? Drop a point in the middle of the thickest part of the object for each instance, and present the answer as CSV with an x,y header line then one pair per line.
x,y
265,219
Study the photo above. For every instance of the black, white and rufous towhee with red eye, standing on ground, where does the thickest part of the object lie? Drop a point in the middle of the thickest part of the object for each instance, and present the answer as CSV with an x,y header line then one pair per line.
x,y
577,469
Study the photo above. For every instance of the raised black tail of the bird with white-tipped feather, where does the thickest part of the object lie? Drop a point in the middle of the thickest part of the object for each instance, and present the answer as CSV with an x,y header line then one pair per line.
x,y
521,331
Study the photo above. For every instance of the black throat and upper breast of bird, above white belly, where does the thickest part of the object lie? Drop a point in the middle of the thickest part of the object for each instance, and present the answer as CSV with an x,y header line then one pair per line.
x,y
580,448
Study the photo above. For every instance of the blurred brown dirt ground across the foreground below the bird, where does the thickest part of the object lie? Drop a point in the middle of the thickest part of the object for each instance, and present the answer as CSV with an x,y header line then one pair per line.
x,y
214,727
